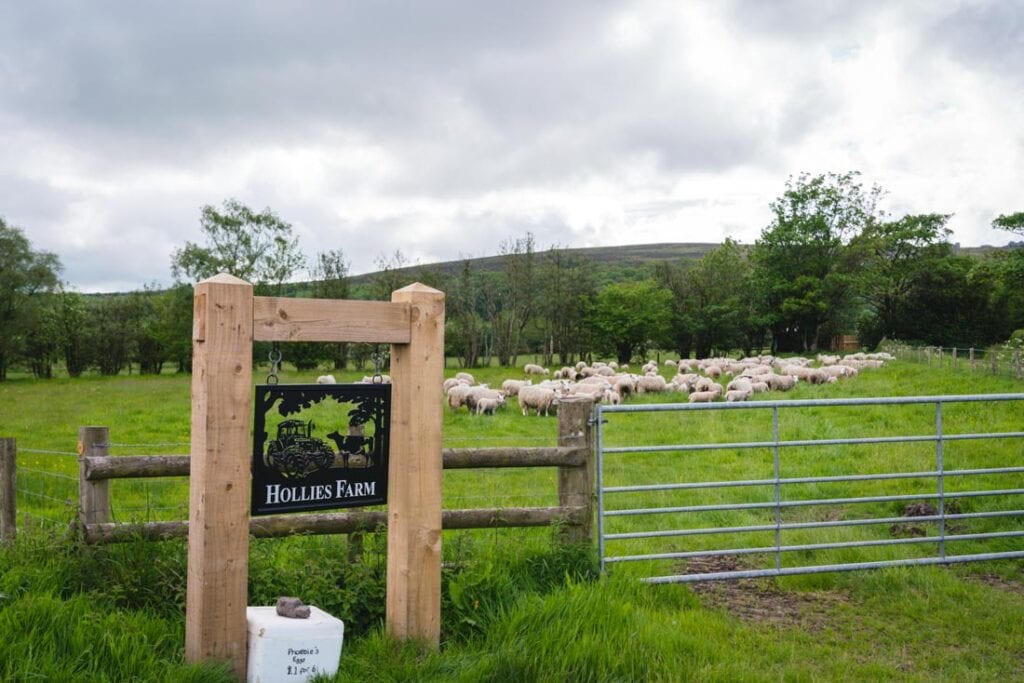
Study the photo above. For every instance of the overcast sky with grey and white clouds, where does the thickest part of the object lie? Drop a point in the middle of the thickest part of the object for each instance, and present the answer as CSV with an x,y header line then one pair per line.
x,y
443,129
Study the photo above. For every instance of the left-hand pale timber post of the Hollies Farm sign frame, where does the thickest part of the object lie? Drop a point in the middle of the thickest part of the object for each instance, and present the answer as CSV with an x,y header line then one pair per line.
x,y
219,518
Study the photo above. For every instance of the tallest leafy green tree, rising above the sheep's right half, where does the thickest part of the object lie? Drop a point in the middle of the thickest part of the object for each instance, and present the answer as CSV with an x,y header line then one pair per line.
x,y
803,265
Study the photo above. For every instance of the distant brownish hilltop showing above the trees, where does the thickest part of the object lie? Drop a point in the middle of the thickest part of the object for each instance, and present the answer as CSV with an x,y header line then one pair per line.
x,y
629,257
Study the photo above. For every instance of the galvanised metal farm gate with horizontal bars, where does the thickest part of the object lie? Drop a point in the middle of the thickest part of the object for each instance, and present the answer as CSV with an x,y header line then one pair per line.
x,y
698,492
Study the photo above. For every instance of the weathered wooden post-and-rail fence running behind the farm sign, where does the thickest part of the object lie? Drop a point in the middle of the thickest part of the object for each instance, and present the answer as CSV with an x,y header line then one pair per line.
x,y
574,457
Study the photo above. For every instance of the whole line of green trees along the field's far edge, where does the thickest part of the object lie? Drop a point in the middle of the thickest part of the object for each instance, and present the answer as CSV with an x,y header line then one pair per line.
x,y
831,263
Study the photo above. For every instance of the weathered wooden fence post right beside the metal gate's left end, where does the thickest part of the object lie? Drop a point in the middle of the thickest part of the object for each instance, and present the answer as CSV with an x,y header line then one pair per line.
x,y
576,485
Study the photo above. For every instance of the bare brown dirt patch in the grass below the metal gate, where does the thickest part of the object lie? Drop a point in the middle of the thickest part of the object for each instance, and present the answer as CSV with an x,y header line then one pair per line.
x,y
758,601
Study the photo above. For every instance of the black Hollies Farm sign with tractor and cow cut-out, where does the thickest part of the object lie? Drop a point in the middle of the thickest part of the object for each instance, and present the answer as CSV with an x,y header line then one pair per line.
x,y
320,447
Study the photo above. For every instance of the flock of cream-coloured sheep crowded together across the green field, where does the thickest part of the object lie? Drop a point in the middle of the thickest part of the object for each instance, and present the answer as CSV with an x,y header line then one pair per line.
x,y
701,380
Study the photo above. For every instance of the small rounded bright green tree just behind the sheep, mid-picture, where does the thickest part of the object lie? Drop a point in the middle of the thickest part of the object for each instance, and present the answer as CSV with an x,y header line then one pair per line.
x,y
627,317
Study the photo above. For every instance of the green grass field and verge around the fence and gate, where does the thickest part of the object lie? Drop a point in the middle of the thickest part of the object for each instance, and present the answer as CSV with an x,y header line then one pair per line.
x,y
517,606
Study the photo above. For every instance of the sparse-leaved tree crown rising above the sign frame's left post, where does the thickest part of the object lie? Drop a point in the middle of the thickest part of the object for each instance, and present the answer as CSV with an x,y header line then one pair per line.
x,y
257,247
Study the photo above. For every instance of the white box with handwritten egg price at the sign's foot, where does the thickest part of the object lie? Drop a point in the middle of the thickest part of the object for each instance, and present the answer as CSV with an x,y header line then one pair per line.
x,y
283,650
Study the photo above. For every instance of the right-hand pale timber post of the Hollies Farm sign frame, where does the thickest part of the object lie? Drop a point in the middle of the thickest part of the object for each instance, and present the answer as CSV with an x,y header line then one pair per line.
x,y
414,507
